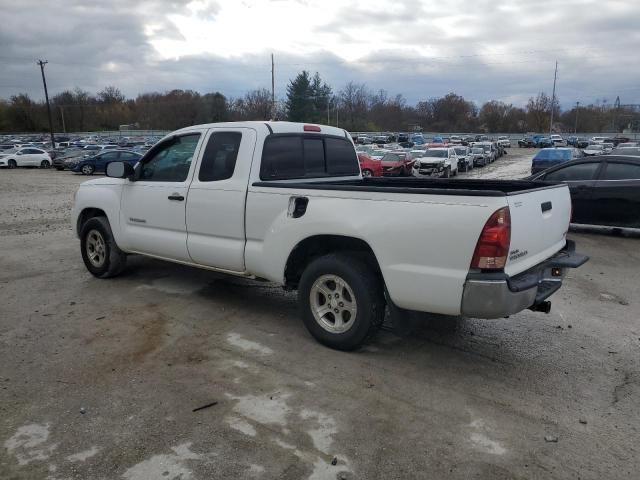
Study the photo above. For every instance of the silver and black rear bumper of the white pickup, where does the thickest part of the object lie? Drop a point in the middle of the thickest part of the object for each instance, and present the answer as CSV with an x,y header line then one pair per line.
x,y
495,295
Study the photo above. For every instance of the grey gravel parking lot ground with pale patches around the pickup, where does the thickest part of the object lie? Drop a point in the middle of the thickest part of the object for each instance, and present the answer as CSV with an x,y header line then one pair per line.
x,y
102,379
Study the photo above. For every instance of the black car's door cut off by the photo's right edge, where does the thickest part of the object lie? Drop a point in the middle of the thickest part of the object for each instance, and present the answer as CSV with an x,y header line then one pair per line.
x,y
616,195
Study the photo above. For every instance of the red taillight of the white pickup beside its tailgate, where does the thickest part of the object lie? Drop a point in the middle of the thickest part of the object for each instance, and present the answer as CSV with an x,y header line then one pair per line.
x,y
492,248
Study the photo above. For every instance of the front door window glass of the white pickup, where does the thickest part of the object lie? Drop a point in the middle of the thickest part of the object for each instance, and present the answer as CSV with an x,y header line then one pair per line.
x,y
172,161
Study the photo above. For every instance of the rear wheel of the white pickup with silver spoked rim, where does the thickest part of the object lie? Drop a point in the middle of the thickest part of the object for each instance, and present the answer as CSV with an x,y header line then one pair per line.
x,y
360,284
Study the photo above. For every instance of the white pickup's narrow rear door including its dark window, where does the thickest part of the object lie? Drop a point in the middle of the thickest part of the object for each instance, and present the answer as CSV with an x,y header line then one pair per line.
x,y
216,200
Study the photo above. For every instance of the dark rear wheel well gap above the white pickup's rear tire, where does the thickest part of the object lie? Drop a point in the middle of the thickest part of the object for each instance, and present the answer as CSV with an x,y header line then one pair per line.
x,y
313,247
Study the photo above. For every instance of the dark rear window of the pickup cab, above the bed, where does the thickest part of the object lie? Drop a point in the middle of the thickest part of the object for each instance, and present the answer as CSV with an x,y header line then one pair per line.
x,y
299,156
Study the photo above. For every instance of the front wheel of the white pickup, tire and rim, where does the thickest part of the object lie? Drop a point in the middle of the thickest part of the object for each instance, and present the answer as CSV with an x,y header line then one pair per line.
x,y
96,237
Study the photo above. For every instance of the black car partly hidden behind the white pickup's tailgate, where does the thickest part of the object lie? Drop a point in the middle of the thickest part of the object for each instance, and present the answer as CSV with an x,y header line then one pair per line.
x,y
605,190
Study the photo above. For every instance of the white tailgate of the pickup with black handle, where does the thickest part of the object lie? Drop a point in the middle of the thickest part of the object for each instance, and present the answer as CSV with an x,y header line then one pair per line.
x,y
539,224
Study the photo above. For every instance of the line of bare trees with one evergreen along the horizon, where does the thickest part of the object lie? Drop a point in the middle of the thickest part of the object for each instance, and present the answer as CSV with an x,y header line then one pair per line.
x,y
308,99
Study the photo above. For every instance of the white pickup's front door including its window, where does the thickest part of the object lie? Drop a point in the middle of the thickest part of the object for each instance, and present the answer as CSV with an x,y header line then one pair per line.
x,y
152,212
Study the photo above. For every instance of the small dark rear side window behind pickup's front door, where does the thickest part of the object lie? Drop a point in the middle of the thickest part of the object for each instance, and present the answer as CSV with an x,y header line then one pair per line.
x,y
220,155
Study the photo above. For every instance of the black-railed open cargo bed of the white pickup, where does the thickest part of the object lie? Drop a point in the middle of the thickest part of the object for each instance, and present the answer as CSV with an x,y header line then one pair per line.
x,y
426,186
